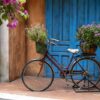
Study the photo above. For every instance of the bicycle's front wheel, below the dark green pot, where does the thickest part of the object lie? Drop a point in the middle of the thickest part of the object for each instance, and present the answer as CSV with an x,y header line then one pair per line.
x,y
37,75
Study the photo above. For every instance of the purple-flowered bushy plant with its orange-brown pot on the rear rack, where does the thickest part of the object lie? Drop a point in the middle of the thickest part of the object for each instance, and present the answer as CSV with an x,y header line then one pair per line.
x,y
89,37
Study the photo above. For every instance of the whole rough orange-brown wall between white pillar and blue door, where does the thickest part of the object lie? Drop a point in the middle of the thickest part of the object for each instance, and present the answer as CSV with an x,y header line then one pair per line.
x,y
20,48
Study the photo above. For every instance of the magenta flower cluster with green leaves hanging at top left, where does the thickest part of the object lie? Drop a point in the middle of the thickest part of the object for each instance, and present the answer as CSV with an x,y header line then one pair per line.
x,y
10,9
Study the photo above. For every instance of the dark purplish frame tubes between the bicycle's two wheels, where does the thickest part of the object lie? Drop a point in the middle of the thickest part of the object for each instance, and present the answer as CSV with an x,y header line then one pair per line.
x,y
56,64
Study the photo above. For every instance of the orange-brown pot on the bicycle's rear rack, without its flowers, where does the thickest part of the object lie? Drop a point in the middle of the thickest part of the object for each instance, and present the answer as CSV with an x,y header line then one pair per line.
x,y
88,50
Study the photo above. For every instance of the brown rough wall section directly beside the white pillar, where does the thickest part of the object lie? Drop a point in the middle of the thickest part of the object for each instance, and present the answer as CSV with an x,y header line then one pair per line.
x,y
16,51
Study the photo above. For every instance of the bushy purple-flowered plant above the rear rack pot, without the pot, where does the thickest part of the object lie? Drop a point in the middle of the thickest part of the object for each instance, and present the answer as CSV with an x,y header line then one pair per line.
x,y
90,34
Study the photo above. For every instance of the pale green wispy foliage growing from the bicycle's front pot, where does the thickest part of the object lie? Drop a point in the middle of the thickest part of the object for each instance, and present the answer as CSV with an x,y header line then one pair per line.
x,y
37,33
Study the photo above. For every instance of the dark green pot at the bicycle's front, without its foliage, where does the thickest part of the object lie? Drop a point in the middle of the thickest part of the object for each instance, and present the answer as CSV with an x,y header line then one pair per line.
x,y
41,48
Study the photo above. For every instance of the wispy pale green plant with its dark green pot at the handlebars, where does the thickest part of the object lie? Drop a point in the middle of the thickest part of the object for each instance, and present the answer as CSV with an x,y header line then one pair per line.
x,y
38,34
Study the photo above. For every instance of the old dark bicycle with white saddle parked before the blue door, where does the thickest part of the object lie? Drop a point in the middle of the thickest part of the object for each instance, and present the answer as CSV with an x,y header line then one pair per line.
x,y
38,74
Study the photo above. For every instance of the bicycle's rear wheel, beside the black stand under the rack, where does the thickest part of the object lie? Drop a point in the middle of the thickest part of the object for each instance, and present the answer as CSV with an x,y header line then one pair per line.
x,y
85,73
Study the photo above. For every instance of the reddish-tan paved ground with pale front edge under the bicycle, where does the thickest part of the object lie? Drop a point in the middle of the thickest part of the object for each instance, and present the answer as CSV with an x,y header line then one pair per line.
x,y
59,90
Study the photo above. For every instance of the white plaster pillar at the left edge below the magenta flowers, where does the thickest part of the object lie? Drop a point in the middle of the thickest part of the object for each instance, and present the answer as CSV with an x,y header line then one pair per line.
x,y
4,52
